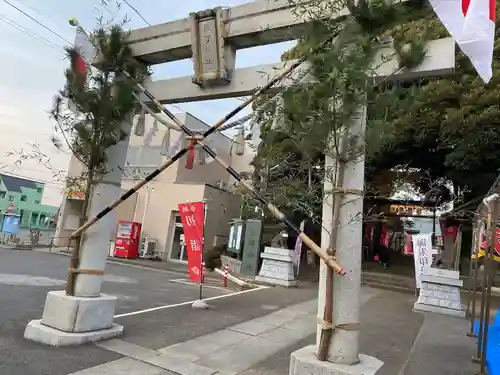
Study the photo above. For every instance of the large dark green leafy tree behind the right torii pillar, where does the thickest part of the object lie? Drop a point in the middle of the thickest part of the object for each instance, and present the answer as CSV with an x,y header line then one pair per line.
x,y
432,131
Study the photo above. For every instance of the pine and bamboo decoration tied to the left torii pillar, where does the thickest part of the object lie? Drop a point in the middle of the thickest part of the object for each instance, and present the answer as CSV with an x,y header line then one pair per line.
x,y
90,111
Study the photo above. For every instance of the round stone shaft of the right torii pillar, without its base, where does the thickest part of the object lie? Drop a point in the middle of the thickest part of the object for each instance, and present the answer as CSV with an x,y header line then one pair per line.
x,y
344,347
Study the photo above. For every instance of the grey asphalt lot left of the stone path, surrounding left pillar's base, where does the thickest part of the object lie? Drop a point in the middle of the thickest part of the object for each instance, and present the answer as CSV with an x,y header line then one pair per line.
x,y
27,276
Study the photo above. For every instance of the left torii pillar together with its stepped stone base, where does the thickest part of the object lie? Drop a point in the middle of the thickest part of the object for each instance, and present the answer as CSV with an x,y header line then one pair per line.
x,y
87,316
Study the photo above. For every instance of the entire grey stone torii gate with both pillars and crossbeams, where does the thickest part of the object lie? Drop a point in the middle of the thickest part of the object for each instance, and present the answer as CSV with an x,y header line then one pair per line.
x,y
212,38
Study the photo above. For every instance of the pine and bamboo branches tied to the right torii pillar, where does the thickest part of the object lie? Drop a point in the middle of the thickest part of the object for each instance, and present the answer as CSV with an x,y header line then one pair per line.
x,y
340,72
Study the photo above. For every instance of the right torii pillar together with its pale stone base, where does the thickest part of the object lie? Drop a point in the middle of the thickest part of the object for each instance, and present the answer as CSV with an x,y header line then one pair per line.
x,y
343,355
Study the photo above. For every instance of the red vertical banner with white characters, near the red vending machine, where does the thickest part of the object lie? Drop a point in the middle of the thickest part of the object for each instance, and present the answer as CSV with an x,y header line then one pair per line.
x,y
193,216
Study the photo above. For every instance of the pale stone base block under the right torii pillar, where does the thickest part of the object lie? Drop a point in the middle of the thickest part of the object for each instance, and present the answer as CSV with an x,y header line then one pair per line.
x,y
304,362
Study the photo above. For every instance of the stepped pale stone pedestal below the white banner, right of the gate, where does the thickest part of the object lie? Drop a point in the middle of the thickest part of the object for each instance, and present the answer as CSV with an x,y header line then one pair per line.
x,y
440,293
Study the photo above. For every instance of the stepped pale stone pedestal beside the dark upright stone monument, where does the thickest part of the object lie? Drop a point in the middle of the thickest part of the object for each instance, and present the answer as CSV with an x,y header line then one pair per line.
x,y
277,267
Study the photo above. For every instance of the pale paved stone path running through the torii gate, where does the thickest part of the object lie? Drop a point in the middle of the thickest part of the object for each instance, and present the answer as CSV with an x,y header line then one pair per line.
x,y
228,351
